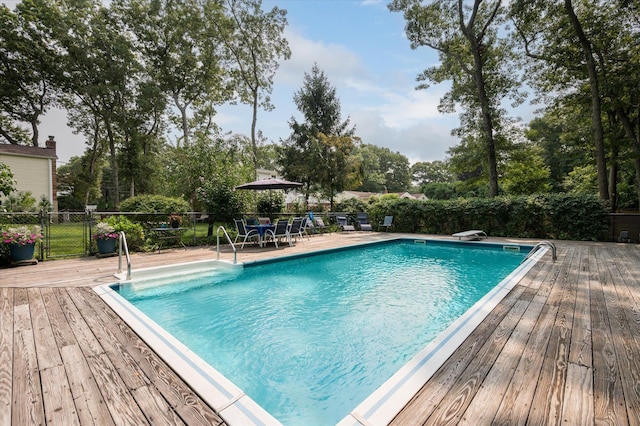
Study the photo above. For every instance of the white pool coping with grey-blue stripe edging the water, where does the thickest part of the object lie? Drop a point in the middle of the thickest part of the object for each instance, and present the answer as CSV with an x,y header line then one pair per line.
x,y
237,408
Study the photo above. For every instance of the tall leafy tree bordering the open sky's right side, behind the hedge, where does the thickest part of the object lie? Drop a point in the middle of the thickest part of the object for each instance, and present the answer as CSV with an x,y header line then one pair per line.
x,y
472,57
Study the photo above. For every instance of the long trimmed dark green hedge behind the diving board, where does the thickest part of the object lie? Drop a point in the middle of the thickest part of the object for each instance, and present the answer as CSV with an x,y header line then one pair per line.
x,y
557,216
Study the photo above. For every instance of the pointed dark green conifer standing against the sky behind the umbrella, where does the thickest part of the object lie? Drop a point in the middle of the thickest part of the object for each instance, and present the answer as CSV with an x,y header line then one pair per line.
x,y
300,157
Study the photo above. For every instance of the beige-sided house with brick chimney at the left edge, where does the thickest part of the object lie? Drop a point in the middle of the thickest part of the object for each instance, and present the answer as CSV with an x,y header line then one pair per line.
x,y
34,169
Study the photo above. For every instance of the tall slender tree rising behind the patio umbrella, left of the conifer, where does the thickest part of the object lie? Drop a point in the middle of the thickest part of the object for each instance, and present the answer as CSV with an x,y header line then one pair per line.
x,y
255,45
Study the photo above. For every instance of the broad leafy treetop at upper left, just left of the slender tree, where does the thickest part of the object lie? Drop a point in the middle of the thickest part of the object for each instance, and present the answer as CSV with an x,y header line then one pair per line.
x,y
179,41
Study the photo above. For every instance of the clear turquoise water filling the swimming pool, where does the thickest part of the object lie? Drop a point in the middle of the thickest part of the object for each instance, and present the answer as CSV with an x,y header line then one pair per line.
x,y
310,338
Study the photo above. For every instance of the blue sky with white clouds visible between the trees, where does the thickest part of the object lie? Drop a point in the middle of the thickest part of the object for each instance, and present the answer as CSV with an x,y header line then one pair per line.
x,y
361,48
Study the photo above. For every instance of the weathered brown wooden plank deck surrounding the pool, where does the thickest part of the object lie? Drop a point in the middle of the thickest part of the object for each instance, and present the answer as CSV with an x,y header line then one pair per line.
x,y
562,347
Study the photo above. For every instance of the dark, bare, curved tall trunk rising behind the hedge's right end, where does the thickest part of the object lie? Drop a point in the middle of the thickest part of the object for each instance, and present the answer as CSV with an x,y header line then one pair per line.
x,y
596,107
